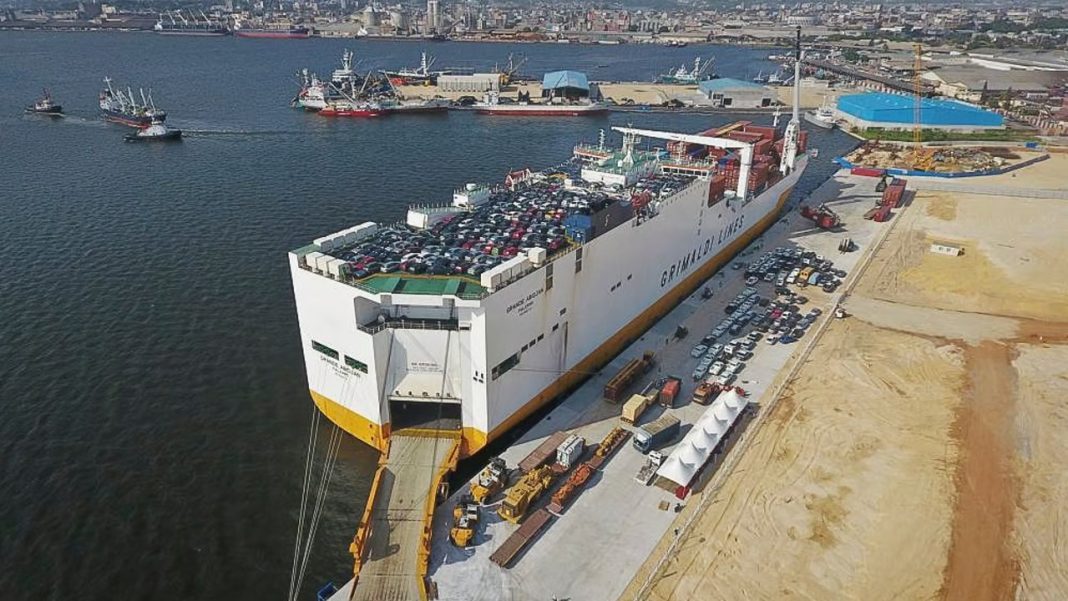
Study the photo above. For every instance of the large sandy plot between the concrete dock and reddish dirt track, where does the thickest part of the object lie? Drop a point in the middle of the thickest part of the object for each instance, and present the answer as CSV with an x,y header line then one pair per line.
x,y
820,509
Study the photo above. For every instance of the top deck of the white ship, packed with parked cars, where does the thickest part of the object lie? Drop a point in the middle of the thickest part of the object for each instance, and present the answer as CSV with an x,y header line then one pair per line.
x,y
448,258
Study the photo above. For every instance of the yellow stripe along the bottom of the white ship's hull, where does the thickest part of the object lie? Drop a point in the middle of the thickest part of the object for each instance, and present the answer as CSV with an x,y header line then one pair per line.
x,y
474,439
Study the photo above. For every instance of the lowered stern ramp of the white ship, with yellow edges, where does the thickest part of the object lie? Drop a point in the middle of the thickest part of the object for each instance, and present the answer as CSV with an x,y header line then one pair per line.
x,y
394,543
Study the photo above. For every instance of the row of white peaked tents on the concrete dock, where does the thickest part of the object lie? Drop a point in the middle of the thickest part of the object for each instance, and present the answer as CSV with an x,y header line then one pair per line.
x,y
701,441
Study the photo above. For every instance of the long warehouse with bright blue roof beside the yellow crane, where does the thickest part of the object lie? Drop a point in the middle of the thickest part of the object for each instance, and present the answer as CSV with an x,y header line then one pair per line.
x,y
898,112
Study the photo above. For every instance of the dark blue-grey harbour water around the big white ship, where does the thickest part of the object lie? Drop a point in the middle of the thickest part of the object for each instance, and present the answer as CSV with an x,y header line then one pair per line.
x,y
154,410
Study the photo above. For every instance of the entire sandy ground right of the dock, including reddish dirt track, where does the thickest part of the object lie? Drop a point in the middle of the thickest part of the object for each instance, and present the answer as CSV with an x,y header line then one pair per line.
x,y
921,451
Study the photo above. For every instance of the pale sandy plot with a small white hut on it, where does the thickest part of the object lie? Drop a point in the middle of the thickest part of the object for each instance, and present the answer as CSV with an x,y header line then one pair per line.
x,y
1014,262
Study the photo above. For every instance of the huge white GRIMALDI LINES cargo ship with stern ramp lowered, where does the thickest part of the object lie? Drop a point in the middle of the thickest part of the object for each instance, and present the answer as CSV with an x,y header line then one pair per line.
x,y
430,339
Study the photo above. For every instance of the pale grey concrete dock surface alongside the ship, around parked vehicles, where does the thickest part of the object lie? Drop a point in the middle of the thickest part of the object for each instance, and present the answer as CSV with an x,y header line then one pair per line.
x,y
594,549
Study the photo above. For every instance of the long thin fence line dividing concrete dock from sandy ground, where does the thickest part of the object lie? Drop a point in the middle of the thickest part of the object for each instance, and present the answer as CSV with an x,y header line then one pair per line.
x,y
731,462
